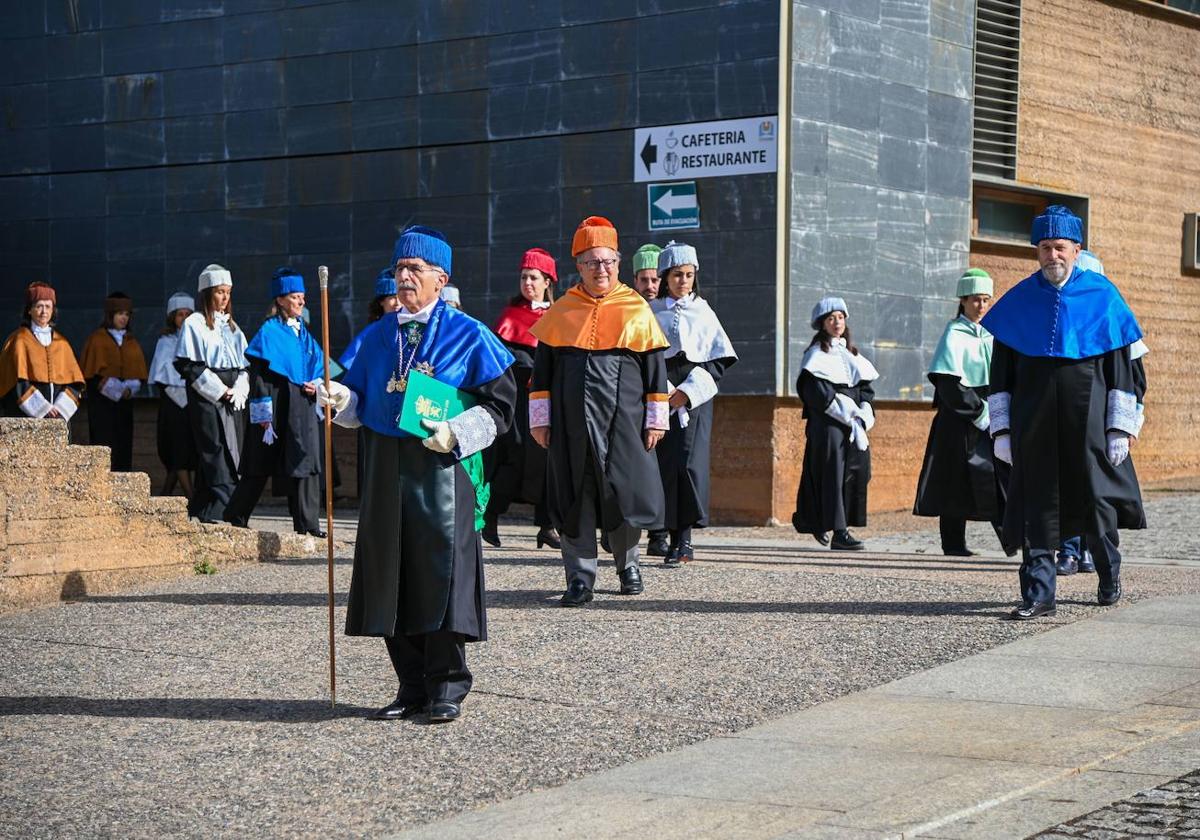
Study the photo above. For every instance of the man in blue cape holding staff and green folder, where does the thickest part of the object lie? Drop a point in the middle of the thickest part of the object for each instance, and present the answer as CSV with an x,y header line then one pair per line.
x,y
418,578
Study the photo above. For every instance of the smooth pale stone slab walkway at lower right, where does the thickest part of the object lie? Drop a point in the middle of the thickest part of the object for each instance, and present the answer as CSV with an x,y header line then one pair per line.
x,y
1000,745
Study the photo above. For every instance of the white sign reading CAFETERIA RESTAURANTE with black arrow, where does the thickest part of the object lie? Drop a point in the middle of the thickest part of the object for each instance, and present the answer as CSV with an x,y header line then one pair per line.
x,y
706,149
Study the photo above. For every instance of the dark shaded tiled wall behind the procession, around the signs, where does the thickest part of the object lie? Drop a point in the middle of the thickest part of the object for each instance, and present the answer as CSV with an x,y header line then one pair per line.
x,y
146,140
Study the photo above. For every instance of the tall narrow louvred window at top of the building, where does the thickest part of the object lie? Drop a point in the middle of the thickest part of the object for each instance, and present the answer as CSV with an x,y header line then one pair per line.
x,y
997,87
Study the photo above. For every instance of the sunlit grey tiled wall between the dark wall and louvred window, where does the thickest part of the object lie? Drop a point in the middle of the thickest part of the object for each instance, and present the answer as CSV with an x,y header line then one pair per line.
x,y
880,175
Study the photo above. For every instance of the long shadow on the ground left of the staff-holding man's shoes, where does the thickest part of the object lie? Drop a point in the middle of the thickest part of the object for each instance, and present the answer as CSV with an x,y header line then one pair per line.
x,y
184,709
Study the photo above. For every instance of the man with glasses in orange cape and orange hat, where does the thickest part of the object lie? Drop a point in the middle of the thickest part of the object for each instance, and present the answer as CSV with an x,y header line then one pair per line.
x,y
598,403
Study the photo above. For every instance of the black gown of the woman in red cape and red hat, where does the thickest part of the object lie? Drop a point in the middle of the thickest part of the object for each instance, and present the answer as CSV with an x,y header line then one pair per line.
x,y
515,464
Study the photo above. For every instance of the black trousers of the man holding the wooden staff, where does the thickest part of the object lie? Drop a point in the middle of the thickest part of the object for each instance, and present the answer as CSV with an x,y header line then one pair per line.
x,y
431,667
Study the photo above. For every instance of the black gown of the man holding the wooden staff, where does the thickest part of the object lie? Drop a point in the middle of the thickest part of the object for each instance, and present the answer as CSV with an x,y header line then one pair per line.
x,y
418,563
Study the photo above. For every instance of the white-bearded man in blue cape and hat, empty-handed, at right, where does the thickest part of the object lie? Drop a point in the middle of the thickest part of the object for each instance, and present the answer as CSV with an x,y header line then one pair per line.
x,y
1064,409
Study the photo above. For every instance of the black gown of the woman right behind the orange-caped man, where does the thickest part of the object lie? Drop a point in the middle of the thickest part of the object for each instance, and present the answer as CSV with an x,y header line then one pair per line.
x,y
685,452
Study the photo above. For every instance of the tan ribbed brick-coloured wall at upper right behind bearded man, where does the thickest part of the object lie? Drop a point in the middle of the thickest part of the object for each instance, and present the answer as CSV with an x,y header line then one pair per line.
x,y
1118,118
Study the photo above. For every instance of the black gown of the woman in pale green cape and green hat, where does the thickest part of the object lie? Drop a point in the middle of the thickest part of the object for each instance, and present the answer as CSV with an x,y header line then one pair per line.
x,y
959,478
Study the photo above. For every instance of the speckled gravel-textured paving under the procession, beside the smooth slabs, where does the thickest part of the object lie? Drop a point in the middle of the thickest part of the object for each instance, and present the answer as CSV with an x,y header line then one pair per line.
x,y
200,707
